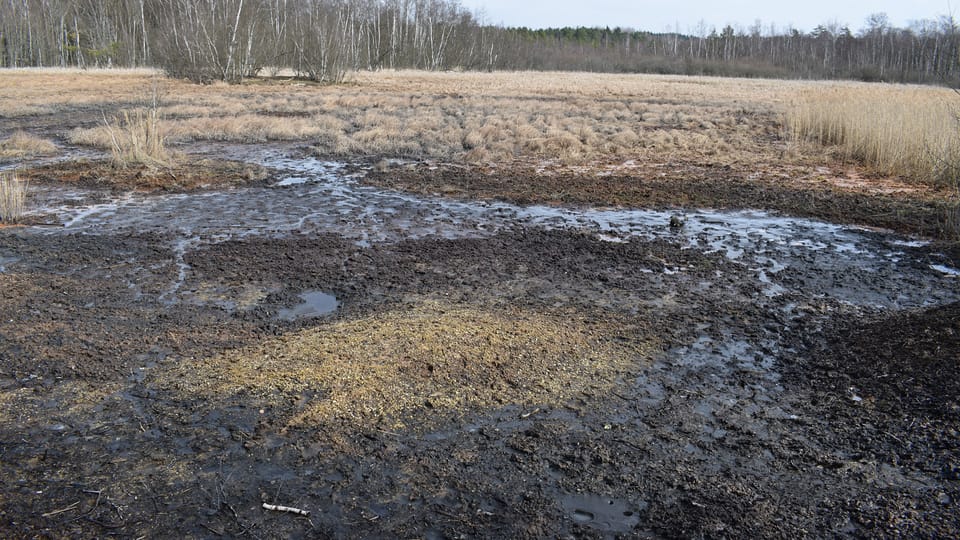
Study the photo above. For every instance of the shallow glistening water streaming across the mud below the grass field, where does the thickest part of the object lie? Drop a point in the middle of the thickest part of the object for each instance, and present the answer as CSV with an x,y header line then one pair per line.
x,y
314,196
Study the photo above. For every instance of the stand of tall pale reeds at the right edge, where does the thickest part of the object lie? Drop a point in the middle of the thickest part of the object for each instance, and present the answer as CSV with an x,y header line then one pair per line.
x,y
911,132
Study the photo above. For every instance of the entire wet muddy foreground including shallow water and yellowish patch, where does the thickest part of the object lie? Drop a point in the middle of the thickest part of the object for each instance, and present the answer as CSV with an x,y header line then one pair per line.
x,y
400,365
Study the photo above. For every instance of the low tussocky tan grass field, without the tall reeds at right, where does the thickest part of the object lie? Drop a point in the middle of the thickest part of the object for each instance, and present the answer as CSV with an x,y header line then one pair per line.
x,y
571,118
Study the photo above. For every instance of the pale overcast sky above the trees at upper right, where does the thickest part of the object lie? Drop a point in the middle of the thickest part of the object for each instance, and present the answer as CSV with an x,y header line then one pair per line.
x,y
659,15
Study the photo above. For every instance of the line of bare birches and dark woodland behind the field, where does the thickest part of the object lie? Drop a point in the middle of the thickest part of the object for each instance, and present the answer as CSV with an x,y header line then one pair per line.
x,y
206,40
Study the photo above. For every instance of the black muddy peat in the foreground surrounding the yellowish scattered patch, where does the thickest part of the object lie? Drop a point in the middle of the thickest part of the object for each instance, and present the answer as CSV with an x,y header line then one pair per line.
x,y
743,416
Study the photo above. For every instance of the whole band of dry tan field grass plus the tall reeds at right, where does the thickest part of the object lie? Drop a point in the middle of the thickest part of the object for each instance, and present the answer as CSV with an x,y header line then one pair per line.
x,y
571,118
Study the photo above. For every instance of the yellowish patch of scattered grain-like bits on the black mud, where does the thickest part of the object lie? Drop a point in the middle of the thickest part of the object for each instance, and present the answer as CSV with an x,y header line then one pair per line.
x,y
435,356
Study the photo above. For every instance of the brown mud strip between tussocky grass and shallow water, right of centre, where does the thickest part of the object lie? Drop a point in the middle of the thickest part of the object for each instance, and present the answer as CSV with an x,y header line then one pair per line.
x,y
682,184
